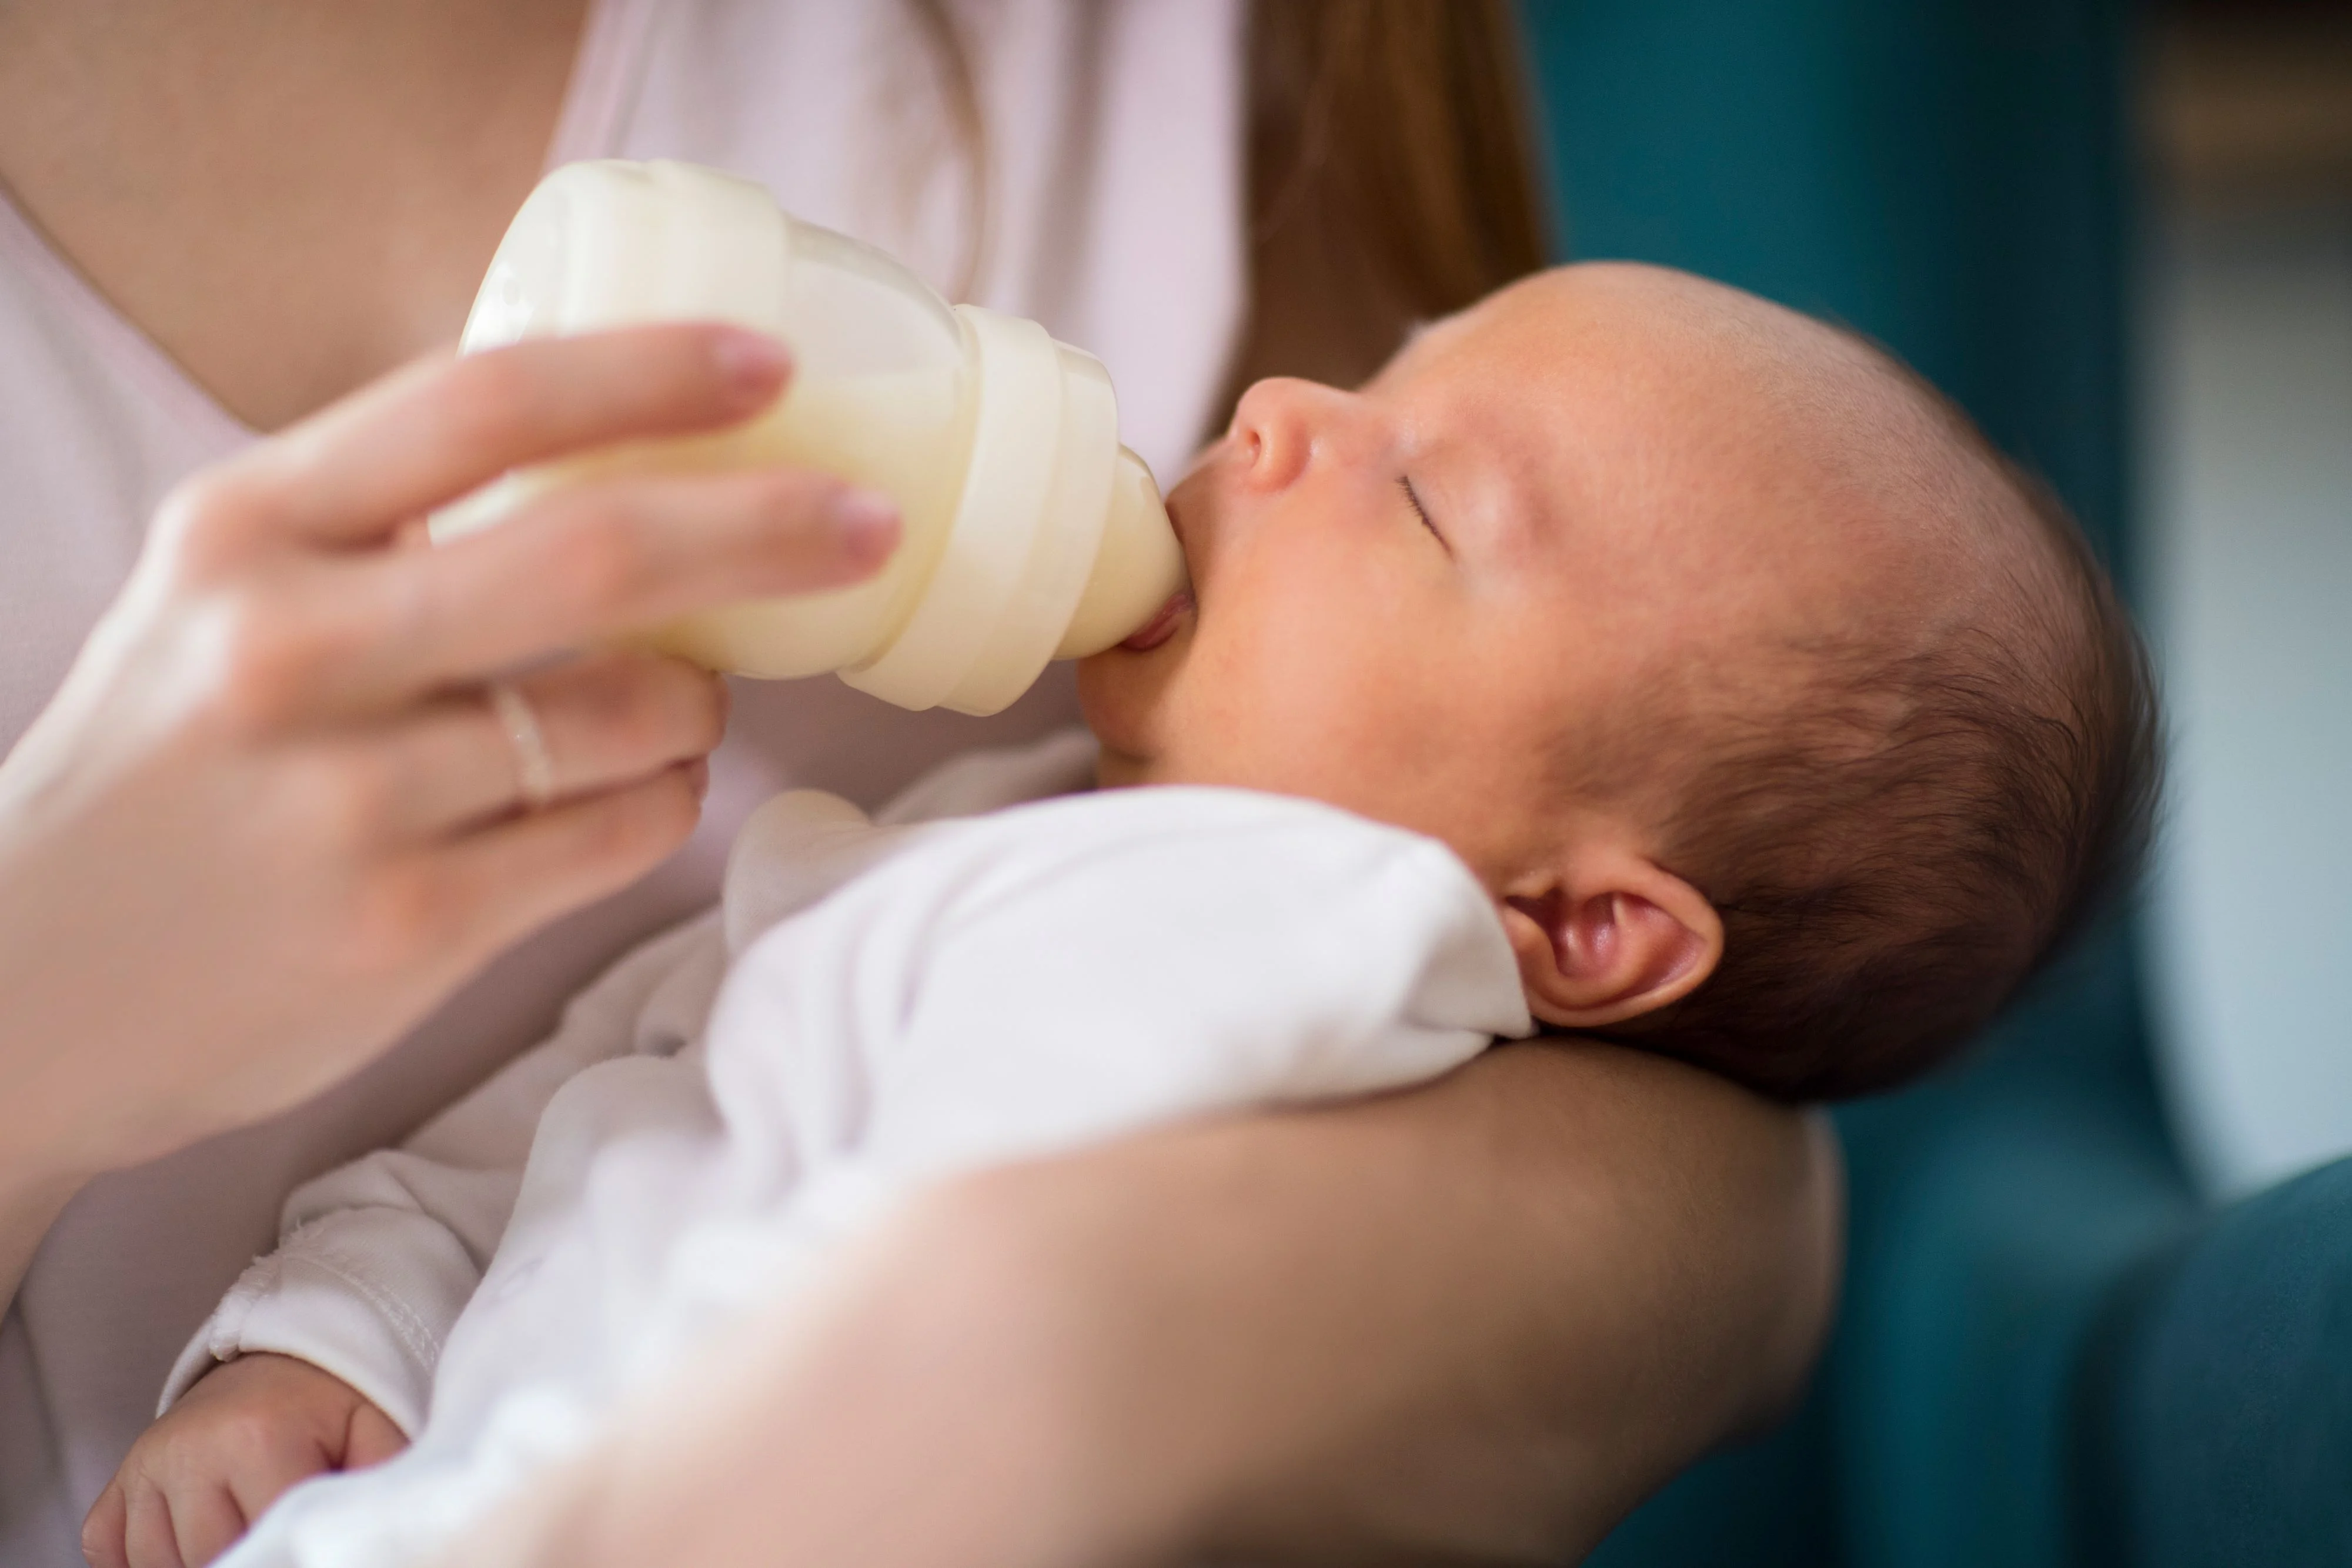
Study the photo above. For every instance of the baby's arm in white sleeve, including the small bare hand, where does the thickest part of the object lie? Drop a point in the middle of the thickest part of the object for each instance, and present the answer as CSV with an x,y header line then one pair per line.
x,y
323,1353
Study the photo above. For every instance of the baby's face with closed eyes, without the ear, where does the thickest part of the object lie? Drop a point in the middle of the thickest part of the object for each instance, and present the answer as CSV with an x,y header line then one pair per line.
x,y
1417,598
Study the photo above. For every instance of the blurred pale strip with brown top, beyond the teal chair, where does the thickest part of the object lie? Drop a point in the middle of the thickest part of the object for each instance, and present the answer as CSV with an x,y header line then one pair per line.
x,y
2245,485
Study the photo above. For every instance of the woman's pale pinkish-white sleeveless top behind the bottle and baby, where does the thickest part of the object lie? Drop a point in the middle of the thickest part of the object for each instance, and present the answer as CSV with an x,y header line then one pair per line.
x,y
1114,215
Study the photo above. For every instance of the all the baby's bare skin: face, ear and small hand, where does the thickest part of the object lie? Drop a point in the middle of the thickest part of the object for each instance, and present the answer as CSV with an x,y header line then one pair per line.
x,y
1429,603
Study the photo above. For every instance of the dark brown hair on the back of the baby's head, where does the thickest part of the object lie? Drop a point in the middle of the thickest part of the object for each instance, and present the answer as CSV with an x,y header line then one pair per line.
x,y
1902,845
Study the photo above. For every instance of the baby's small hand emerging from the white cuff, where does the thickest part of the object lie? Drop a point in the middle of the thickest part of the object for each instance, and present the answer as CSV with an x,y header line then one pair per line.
x,y
236,1440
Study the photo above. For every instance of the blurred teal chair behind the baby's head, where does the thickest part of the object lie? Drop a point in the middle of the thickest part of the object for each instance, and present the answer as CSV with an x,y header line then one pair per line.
x,y
2047,1353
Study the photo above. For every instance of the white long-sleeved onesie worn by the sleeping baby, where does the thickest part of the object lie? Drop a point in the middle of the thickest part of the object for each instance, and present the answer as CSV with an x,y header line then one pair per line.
x,y
871,1007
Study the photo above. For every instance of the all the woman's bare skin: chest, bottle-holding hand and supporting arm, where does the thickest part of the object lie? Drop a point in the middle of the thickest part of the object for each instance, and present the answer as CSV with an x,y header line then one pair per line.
x,y
1469,1322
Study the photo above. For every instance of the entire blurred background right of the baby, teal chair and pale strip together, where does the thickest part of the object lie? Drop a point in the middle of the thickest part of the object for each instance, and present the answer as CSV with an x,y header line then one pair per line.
x,y
2099,1306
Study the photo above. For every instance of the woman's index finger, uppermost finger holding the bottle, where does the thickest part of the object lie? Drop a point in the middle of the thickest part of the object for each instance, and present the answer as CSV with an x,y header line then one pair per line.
x,y
439,429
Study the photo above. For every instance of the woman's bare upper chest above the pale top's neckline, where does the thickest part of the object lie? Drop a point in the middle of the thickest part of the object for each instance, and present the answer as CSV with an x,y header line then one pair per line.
x,y
288,199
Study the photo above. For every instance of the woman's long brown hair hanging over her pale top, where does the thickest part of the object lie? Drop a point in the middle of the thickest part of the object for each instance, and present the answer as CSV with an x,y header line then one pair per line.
x,y
1391,173
